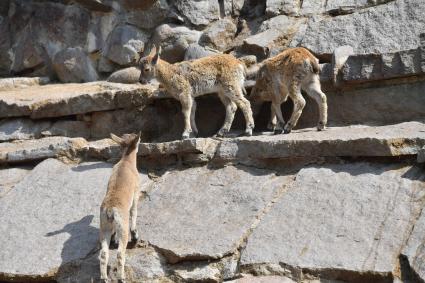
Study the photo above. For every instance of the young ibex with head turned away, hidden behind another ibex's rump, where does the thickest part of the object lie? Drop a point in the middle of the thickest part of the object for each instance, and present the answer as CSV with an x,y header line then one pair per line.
x,y
284,75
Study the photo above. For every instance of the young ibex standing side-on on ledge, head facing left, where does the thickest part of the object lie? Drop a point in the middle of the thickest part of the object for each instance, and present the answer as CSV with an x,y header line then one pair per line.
x,y
223,74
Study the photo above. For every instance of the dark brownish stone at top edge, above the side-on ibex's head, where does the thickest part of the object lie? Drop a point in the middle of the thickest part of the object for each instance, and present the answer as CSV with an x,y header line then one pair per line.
x,y
148,18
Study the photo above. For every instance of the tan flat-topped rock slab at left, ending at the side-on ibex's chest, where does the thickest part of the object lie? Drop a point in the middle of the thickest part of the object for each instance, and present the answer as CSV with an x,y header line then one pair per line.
x,y
58,100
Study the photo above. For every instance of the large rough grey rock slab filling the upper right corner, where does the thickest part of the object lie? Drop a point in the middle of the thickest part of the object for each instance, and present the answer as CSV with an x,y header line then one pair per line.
x,y
385,28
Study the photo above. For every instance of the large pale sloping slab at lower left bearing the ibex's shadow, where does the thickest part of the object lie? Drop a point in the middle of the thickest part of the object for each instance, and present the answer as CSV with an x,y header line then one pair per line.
x,y
63,223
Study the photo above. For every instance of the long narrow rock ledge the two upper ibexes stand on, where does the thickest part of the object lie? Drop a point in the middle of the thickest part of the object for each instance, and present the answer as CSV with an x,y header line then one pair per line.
x,y
402,139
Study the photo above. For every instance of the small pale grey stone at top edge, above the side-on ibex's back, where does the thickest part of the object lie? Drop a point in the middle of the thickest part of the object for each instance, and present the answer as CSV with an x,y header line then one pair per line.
x,y
200,12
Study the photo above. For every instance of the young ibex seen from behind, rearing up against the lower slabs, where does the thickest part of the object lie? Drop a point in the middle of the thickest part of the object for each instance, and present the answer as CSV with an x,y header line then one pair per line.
x,y
120,205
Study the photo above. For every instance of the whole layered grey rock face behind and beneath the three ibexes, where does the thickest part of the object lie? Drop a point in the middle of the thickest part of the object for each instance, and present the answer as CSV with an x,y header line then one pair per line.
x,y
341,205
